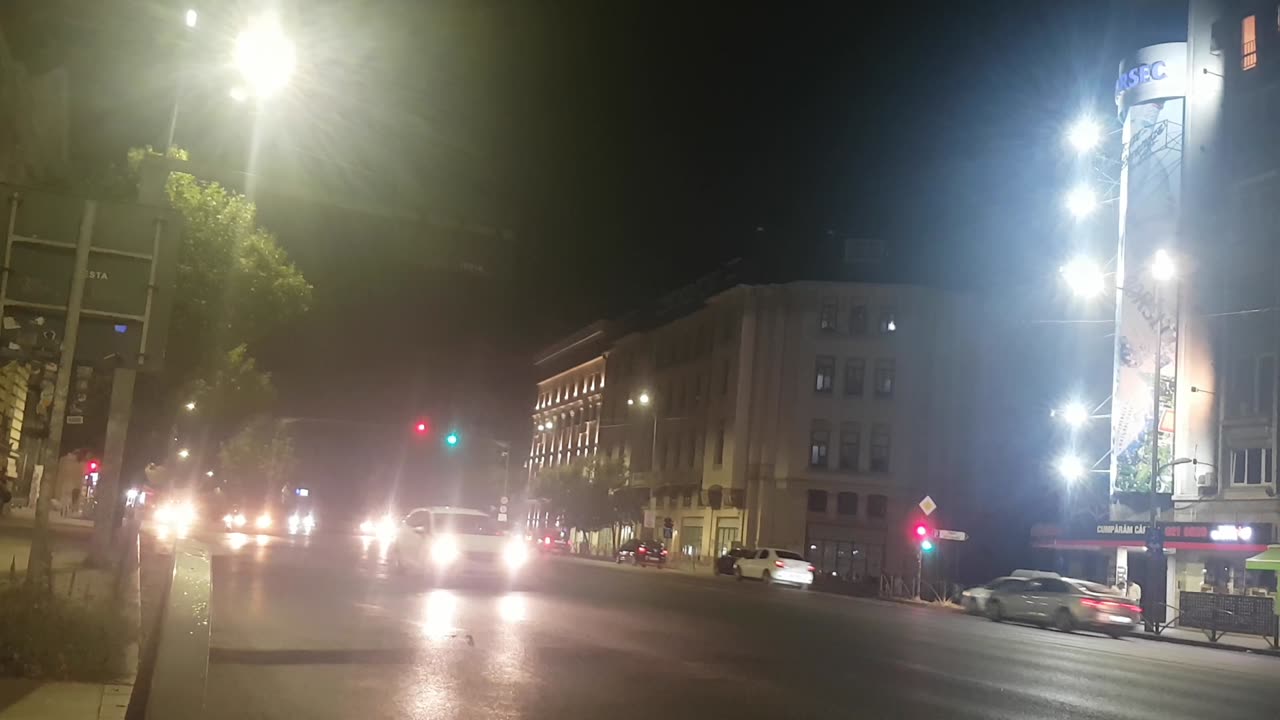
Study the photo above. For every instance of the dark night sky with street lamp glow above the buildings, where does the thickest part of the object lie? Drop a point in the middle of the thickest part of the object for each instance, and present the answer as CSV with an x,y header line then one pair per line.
x,y
628,147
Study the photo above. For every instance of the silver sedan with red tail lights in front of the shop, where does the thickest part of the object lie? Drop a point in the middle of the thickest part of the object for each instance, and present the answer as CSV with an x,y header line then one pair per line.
x,y
1066,604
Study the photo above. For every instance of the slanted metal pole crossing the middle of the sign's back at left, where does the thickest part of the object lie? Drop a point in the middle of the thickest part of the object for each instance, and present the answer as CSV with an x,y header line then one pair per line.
x,y
40,562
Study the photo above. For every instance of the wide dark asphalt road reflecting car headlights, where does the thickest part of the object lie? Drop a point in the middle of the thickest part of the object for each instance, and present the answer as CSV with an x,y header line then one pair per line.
x,y
322,628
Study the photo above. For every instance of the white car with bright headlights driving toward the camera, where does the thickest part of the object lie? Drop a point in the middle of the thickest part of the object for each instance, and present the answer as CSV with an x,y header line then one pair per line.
x,y
446,541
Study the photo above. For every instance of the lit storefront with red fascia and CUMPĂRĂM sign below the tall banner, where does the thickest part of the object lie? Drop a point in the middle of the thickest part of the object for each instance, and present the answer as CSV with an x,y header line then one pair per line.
x,y
1206,558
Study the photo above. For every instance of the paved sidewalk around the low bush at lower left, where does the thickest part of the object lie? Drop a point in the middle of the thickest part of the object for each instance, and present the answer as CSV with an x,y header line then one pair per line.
x,y
29,700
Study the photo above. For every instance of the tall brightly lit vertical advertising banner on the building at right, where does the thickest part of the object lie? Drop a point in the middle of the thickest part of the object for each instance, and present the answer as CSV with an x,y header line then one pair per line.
x,y
1150,97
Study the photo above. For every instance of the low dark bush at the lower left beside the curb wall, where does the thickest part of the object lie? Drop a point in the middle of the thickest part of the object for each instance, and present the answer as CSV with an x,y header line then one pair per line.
x,y
57,639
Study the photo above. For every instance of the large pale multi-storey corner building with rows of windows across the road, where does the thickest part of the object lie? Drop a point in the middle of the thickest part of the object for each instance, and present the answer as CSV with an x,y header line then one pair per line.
x,y
807,416
